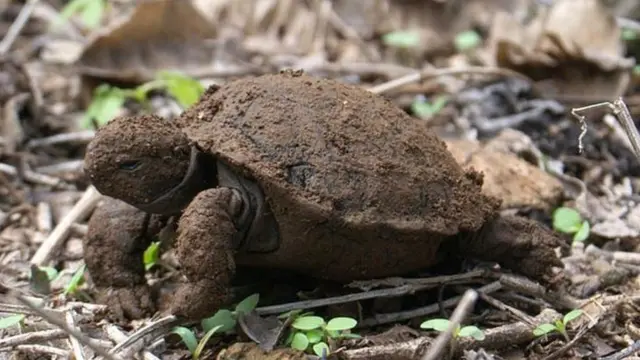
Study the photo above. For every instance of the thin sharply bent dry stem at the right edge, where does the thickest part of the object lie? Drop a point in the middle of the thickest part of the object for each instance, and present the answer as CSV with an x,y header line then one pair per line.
x,y
621,112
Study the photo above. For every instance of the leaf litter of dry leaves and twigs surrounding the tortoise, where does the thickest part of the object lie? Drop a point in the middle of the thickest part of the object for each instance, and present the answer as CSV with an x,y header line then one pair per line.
x,y
517,130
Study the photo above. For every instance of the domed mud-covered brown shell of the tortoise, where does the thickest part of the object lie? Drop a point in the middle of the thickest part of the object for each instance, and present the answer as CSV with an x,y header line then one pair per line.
x,y
340,150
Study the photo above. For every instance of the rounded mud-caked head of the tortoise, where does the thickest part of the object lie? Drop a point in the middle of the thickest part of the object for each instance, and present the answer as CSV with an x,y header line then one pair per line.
x,y
139,160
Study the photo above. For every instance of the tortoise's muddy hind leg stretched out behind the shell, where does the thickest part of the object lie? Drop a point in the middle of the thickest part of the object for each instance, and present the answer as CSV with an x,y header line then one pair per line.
x,y
516,243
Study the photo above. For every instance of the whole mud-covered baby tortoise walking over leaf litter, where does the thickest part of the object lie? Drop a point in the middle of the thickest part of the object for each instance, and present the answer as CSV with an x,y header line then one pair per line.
x,y
295,172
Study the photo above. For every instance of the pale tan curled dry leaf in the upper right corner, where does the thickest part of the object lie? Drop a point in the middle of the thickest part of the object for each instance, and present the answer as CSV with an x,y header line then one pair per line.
x,y
574,46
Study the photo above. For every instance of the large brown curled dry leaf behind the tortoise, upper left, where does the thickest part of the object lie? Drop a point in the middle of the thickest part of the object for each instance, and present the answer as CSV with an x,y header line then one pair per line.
x,y
150,39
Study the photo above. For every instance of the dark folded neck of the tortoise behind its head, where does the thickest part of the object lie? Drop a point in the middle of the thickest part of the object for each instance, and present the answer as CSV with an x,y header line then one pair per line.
x,y
176,199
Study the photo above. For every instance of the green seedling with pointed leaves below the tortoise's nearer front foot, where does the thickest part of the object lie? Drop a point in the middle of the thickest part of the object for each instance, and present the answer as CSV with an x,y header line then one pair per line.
x,y
221,322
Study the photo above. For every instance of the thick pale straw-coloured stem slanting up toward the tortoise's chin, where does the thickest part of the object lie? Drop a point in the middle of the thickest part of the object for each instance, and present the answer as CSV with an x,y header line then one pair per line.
x,y
79,211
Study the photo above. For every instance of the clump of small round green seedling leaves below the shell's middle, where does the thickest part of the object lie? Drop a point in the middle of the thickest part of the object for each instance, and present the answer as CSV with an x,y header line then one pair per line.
x,y
313,334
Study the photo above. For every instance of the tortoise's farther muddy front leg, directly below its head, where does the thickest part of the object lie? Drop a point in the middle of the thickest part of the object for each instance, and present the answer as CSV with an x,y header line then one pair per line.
x,y
113,251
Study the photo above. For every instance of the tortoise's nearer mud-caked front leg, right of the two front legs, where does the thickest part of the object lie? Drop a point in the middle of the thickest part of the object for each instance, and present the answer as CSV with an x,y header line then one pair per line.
x,y
205,251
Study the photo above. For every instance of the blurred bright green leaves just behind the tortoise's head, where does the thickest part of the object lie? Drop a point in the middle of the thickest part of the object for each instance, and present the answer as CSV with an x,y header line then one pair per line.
x,y
108,100
